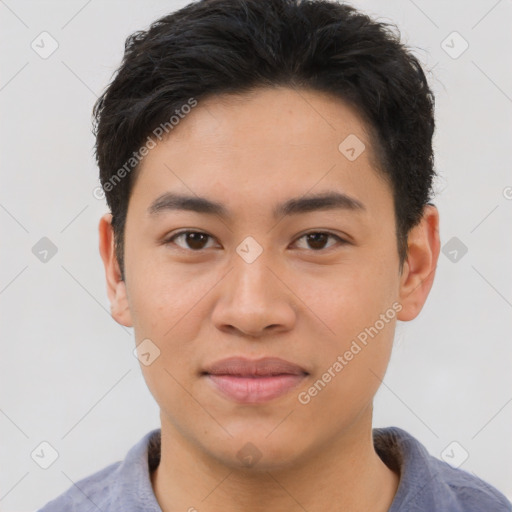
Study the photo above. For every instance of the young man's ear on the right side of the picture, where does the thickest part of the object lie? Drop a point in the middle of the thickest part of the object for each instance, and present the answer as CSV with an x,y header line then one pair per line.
x,y
419,268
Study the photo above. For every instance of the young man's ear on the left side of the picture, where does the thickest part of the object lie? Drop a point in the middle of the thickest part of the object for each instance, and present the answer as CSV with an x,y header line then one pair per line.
x,y
116,287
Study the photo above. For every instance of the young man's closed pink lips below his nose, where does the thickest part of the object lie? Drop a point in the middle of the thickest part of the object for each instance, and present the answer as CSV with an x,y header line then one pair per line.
x,y
254,381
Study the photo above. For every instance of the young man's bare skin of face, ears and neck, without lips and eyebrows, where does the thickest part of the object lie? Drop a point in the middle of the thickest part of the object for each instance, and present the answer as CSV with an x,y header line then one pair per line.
x,y
299,301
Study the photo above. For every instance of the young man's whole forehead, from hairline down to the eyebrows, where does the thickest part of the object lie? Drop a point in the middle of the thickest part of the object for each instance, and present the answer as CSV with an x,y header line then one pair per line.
x,y
270,144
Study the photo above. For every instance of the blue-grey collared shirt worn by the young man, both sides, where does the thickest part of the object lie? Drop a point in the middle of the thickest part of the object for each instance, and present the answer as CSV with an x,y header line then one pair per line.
x,y
426,484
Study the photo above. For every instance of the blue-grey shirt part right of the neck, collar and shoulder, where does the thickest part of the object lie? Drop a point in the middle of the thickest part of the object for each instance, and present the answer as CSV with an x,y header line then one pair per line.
x,y
430,484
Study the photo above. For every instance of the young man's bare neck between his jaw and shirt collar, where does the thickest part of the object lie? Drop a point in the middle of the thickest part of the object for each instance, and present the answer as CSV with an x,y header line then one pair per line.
x,y
346,474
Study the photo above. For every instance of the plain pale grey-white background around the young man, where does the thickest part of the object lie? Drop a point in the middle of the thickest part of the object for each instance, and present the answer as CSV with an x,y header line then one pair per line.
x,y
67,372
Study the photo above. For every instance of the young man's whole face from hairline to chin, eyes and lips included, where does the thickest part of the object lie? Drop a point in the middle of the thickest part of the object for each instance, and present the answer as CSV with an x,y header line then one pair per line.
x,y
271,313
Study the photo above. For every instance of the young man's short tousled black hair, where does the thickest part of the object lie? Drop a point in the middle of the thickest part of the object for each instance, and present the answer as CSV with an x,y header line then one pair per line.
x,y
213,47
